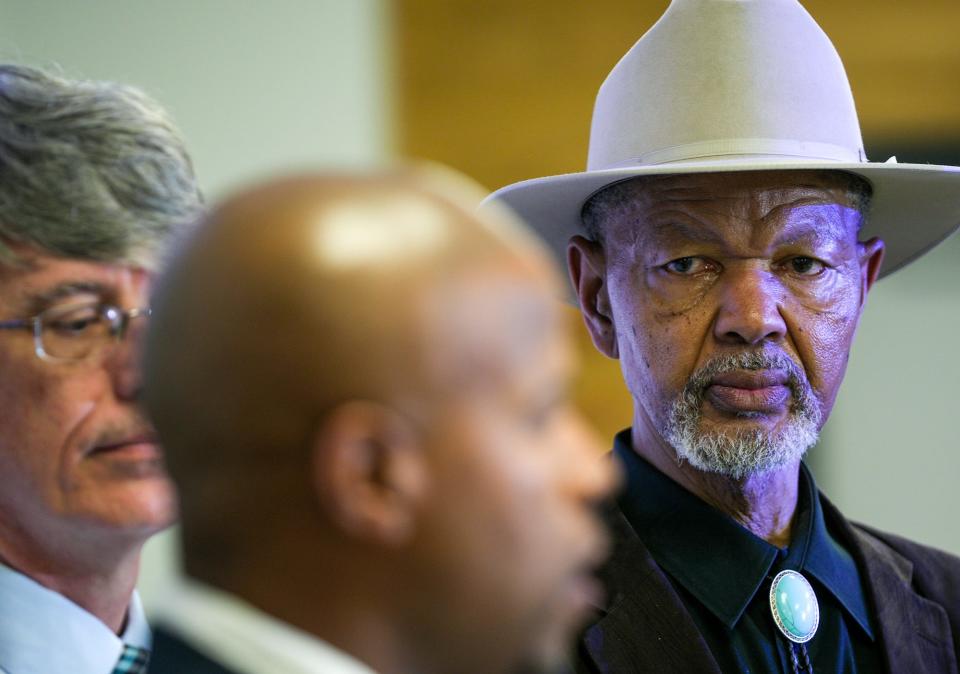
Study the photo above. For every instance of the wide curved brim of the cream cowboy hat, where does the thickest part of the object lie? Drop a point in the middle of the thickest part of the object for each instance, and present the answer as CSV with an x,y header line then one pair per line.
x,y
914,206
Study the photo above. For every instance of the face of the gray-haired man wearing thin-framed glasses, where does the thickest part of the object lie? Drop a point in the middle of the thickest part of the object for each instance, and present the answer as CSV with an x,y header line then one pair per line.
x,y
79,460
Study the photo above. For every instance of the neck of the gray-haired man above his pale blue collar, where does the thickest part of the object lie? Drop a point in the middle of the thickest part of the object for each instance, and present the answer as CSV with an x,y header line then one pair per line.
x,y
103,590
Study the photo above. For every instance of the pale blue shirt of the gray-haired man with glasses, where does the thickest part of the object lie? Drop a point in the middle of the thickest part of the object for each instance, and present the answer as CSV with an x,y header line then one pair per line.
x,y
43,632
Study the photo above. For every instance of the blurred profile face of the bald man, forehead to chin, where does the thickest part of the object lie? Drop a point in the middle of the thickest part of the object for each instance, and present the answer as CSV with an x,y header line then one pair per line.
x,y
513,542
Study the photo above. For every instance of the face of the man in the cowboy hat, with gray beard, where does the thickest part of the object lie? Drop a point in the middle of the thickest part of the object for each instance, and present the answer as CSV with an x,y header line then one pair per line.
x,y
733,300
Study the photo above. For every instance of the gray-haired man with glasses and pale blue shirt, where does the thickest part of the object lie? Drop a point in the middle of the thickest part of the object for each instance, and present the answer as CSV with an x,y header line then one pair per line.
x,y
93,179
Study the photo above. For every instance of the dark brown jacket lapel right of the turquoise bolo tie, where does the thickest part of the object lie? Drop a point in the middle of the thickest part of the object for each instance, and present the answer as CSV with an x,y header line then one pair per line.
x,y
914,632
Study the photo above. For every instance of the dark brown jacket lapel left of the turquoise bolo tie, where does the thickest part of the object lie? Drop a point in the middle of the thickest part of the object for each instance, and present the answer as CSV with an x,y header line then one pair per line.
x,y
646,628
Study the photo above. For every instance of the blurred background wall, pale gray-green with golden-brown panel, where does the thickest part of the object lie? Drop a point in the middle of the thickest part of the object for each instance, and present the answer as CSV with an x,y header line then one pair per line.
x,y
503,90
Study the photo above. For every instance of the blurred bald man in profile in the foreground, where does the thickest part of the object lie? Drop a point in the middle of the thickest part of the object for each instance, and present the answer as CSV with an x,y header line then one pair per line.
x,y
361,386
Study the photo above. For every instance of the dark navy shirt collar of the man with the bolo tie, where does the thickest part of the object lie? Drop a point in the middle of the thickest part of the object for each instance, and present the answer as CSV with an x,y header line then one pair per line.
x,y
718,561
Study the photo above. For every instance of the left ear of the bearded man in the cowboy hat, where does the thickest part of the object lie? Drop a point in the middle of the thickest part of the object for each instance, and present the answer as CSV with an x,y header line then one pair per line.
x,y
587,265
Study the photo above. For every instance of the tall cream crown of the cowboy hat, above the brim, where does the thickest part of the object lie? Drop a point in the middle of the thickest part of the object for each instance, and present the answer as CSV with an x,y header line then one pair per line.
x,y
727,79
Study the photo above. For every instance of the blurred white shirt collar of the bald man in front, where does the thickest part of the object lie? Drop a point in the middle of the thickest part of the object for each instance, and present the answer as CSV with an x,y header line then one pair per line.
x,y
243,638
